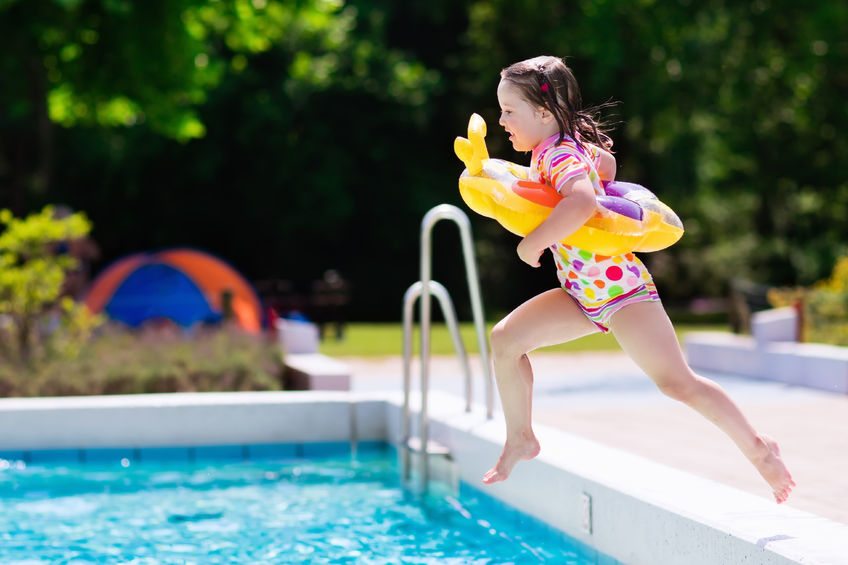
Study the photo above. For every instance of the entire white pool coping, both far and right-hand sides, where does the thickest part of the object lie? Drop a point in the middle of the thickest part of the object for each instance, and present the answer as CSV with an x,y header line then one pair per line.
x,y
642,512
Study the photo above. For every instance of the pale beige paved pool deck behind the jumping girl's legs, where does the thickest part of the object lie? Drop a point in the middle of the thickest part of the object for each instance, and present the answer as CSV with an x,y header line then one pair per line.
x,y
607,399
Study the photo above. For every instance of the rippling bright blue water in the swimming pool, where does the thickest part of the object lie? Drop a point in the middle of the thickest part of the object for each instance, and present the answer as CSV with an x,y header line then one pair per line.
x,y
332,510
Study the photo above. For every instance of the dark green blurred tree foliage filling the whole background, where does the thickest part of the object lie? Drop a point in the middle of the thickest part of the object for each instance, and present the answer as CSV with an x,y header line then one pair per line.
x,y
295,136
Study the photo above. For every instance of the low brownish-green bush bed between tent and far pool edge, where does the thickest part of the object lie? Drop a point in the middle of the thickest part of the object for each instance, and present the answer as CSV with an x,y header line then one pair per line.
x,y
153,360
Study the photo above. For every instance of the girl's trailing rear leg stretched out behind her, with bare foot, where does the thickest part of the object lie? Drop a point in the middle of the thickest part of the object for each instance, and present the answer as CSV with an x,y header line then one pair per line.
x,y
645,333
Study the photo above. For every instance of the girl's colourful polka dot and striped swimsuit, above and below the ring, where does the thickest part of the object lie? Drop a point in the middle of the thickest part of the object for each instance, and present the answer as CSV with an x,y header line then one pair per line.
x,y
601,285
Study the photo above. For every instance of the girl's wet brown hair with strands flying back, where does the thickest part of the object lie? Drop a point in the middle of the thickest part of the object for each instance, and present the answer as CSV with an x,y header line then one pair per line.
x,y
548,82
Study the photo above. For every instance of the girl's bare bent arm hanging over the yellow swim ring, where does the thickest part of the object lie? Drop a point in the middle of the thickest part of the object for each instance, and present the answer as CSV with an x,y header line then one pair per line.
x,y
576,206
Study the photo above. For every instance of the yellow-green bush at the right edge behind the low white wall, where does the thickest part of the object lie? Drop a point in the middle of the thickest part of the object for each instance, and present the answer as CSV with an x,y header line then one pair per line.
x,y
824,306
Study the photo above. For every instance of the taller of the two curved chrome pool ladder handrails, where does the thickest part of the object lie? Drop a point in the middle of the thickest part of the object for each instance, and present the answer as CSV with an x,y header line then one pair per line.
x,y
431,218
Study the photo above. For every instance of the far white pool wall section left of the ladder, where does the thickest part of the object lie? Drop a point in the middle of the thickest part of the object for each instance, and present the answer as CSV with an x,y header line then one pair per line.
x,y
186,419
